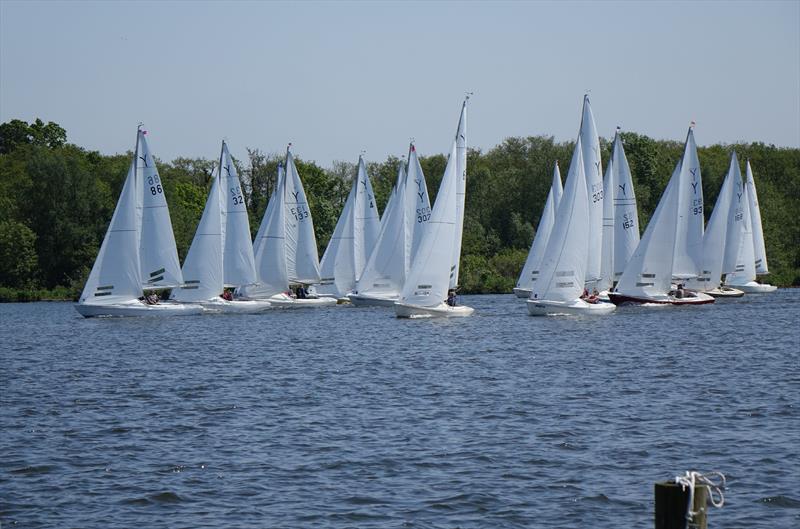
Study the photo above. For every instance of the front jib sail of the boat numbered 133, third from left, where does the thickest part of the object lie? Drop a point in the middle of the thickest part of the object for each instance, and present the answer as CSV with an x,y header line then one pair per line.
x,y
270,247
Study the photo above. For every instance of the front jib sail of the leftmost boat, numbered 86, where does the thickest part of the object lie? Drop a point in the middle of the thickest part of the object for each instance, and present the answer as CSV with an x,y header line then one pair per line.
x,y
116,275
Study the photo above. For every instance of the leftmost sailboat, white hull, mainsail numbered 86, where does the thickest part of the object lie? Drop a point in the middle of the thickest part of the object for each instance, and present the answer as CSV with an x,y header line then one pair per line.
x,y
138,238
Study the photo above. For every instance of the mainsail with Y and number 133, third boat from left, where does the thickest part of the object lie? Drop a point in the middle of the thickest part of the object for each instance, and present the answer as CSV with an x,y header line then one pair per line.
x,y
302,260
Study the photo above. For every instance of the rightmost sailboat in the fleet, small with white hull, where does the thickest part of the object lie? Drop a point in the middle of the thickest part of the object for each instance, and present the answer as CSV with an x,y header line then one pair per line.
x,y
744,279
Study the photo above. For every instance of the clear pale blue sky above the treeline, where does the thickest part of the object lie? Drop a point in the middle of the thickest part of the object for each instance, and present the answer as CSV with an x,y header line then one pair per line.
x,y
336,78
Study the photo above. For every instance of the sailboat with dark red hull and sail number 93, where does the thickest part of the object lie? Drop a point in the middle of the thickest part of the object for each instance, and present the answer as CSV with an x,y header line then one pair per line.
x,y
671,246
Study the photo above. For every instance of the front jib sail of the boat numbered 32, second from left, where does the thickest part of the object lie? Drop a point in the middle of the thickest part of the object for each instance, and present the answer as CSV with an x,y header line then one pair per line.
x,y
203,266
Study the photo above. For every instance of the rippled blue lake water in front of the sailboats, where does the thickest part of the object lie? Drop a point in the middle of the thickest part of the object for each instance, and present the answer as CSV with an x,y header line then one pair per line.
x,y
348,417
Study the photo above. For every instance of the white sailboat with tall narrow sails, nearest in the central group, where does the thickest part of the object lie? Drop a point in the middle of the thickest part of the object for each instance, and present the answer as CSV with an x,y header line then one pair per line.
x,y
429,290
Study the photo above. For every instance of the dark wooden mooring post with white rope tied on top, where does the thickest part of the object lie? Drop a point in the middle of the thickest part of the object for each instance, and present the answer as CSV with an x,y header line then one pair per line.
x,y
672,506
